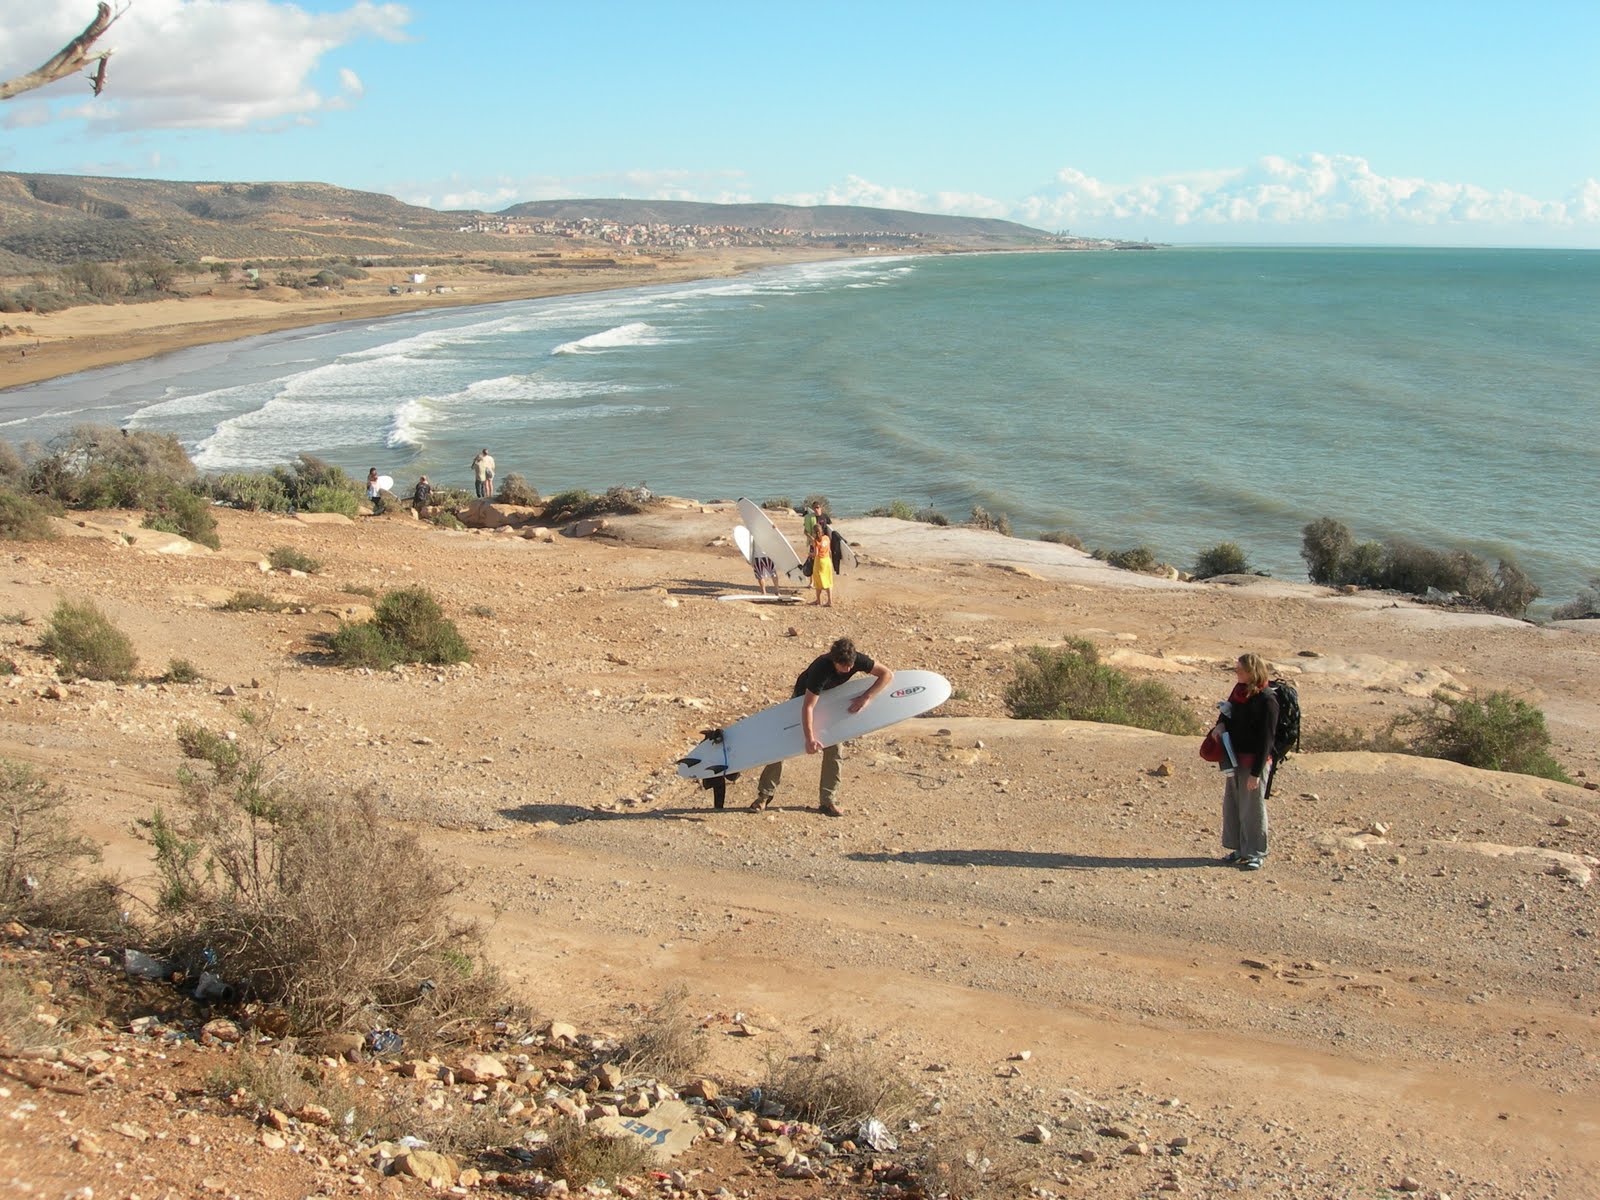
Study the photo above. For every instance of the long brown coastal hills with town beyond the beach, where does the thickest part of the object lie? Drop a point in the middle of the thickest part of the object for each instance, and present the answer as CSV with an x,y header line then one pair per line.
x,y
54,220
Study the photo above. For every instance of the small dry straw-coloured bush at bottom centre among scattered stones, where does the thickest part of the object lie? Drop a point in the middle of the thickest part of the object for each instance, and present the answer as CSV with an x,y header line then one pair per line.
x,y
844,1079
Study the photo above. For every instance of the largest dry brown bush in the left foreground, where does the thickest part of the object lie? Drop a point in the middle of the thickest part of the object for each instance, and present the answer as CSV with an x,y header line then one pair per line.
x,y
306,898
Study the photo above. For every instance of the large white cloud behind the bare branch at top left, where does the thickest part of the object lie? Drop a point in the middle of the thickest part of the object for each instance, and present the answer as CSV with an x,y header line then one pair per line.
x,y
225,65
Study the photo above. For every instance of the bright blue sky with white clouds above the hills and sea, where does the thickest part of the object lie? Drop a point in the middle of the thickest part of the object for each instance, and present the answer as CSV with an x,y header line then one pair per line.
x,y
1407,122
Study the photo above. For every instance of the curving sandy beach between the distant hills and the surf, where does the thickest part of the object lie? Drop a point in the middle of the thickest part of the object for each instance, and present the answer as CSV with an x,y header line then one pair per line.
x,y
92,337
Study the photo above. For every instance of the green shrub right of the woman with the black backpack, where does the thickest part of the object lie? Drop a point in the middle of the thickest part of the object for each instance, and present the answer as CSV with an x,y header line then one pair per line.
x,y
1497,734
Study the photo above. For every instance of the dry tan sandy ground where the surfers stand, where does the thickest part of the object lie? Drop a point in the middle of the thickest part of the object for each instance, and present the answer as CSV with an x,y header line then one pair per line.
x,y
1370,1009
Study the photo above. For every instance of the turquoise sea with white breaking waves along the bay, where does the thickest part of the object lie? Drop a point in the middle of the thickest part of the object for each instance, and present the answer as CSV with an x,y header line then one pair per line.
x,y
1175,398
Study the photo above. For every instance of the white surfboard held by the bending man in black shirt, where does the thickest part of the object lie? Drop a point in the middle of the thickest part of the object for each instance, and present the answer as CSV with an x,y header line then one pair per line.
x,y
775,734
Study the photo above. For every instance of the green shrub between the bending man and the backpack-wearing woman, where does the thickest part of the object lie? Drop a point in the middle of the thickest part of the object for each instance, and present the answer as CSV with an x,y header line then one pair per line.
x,y
1073,684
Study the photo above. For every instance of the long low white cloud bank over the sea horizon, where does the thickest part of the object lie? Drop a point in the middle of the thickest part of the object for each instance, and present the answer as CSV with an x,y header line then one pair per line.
x,y
1302,198
